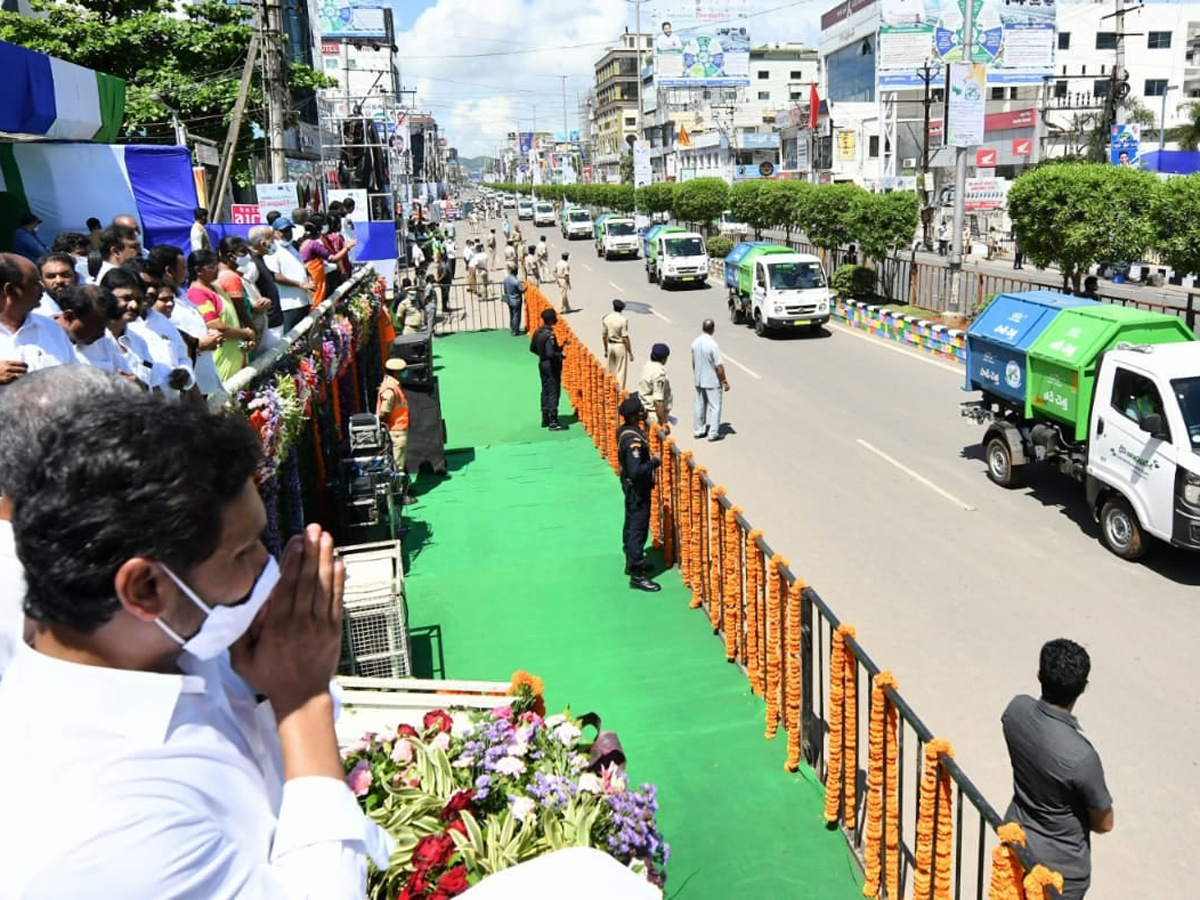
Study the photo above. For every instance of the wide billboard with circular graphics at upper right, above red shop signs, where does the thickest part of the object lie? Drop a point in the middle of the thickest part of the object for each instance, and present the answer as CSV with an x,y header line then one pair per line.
x,y
1015,39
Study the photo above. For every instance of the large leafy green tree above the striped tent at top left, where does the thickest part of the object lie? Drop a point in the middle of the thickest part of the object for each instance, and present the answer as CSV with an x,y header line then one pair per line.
x,y
190,63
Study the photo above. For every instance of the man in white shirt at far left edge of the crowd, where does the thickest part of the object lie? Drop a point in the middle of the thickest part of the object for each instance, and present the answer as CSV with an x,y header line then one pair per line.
x,y
28,341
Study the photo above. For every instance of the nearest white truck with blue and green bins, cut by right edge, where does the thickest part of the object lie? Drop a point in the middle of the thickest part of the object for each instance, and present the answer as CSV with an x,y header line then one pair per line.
x,y
1108,395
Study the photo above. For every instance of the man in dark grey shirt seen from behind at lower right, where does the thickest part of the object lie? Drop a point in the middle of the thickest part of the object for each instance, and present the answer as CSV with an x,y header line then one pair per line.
x,y
1059,791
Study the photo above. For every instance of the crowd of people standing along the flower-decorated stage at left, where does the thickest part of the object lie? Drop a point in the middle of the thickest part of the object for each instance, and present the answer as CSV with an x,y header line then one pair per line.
x,y
179,325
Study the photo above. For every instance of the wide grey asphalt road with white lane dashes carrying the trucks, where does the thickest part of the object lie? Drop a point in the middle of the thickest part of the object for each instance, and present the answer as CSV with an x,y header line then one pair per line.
x,y
851,455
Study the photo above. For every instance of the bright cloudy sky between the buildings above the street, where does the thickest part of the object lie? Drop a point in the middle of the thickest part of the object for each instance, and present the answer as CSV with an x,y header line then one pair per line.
x,y
479,99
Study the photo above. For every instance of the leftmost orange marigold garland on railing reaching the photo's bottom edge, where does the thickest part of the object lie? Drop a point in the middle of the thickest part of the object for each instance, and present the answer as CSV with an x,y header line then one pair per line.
x,y
883,794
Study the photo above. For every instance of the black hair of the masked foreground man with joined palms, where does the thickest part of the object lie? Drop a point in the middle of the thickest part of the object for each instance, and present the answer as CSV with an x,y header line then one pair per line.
x,y
121,481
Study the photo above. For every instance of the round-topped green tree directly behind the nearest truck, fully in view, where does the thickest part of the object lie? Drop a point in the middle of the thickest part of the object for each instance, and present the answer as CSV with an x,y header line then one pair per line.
x,y
1076,215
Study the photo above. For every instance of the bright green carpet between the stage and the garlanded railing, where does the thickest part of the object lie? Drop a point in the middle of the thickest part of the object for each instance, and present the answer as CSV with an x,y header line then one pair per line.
x,y
515,563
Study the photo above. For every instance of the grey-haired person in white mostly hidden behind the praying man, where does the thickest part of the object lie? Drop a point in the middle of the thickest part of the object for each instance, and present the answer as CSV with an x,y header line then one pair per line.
x,y
27,410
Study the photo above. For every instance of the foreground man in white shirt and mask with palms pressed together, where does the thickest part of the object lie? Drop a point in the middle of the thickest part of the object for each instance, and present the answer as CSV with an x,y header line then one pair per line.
x,y
143,566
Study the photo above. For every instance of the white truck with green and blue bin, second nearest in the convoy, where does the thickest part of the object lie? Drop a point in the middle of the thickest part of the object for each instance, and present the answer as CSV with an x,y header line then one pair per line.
x,y
773,287
